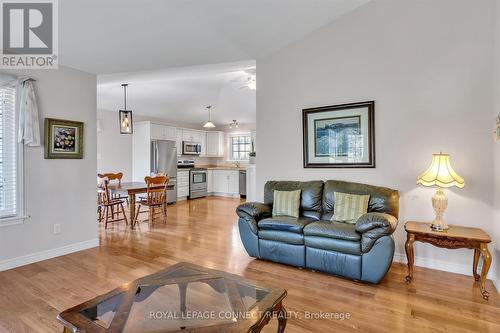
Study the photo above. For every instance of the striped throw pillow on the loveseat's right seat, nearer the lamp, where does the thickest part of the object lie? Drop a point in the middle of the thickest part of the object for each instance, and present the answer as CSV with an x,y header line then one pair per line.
x,y
349,207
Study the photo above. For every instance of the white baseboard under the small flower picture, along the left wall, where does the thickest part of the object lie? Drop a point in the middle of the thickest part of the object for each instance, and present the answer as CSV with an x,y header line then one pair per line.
x,y
47,254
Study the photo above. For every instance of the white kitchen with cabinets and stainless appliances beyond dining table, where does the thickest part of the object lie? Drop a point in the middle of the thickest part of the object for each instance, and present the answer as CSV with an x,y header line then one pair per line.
x,y
198,162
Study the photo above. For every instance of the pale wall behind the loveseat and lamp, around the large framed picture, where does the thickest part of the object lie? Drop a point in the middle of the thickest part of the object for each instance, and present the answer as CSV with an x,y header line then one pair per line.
x,y
428,66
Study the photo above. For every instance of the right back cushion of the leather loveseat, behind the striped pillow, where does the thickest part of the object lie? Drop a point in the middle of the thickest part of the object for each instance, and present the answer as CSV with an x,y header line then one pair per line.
x,y
382,199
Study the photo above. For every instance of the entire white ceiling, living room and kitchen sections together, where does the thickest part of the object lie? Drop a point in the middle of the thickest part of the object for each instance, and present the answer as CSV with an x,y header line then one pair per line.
x,y
181,55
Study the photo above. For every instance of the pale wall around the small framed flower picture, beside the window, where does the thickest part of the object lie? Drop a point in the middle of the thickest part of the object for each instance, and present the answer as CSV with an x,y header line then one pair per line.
x,y
57,191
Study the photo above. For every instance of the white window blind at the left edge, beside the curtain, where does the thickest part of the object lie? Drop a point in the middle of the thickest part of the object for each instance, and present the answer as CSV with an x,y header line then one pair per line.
x,y
8,154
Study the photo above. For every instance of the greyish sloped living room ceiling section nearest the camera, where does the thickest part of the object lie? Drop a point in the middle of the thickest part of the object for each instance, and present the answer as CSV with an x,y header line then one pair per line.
x,y
114,36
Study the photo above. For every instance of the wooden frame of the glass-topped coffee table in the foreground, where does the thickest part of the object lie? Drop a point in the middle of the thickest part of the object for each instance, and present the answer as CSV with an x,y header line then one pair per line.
x,y
259,315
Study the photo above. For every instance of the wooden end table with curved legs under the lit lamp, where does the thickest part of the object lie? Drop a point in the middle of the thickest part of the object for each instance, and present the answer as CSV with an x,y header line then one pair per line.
x,y
454,238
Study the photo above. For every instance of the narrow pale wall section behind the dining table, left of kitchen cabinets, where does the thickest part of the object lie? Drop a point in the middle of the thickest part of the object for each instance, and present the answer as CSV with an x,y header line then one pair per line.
x,y
114,150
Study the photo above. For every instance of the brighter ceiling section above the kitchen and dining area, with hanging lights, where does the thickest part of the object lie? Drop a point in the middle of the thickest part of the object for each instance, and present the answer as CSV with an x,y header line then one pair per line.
x,y
181,94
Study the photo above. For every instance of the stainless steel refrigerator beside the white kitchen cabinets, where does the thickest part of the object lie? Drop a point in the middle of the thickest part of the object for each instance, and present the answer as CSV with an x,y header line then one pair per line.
x,y
164,160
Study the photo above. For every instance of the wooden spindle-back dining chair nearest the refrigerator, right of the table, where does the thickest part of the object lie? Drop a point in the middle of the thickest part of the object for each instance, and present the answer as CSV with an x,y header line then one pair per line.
x,y
156,198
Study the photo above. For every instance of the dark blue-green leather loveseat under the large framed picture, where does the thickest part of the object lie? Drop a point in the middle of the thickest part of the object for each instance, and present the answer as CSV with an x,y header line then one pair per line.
x,y
361,251
